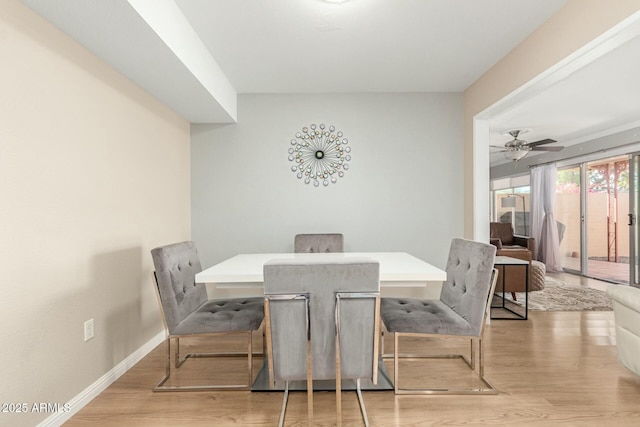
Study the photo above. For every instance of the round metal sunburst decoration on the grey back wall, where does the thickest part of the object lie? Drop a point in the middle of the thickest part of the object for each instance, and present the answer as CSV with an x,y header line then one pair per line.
x,y
319,154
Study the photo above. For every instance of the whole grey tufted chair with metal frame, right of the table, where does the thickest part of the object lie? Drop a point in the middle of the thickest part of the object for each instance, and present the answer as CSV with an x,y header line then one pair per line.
x,y
460,312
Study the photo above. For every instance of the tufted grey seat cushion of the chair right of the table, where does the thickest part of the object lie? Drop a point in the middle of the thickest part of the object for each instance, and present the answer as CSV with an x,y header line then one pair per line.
x,y
422,316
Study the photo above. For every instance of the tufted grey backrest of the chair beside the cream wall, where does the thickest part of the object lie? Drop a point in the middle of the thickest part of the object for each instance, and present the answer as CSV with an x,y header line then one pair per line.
x,y
176,267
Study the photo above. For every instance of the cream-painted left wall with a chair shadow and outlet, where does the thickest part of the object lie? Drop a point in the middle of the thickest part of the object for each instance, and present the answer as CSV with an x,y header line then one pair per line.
x,y
94,172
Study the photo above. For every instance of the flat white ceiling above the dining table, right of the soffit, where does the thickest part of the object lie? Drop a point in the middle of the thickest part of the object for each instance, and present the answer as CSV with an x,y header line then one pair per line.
x,y
302,46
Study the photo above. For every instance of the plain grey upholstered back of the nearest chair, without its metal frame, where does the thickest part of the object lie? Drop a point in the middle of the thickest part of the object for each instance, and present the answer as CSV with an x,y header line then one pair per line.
x,y
321,278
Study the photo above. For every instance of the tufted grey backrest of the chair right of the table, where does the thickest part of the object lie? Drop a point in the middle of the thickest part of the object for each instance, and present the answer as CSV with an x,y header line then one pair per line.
x,y
468,283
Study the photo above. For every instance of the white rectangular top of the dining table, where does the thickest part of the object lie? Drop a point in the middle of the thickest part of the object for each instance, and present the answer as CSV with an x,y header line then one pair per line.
x,y
394,267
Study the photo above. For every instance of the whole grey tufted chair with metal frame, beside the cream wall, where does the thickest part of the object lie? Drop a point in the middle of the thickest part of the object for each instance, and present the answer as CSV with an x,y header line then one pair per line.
x,y
187,311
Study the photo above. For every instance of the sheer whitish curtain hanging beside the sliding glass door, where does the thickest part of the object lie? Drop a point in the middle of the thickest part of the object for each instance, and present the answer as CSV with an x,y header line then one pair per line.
x,y
543,223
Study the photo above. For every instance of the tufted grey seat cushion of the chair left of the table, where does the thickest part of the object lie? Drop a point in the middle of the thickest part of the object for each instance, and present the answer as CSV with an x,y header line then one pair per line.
x,y
228,315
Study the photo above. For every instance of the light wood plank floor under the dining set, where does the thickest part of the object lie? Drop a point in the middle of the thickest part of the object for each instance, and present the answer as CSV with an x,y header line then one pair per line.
x,y
557,368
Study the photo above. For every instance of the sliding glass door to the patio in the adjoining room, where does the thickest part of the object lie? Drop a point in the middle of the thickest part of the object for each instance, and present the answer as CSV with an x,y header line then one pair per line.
x,y
593,203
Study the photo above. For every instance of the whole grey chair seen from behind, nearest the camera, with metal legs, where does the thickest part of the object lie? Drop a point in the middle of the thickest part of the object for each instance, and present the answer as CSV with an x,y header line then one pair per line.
x,y
306,302
